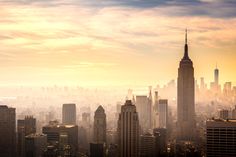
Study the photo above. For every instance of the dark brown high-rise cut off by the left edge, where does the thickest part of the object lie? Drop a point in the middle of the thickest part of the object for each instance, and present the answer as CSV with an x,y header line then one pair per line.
x,y
7,131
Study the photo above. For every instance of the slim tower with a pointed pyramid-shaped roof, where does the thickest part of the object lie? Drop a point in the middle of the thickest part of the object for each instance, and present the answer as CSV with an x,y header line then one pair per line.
x,y
99,126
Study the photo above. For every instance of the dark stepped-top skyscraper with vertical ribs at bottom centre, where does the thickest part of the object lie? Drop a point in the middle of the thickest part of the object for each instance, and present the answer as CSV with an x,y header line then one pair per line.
x,y
128,130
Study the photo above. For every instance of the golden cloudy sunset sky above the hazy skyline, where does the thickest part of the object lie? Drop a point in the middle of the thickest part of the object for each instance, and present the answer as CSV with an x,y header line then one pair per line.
x,y
114,42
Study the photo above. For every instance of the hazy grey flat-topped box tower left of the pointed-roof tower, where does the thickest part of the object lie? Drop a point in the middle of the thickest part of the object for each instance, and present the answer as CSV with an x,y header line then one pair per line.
x,y
69,114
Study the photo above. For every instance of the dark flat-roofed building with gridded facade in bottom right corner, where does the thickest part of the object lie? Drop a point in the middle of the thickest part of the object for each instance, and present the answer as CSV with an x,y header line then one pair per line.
x,y
221,138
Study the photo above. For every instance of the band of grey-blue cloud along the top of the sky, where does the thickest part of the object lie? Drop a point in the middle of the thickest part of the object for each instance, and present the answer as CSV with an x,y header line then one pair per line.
x,y
211,8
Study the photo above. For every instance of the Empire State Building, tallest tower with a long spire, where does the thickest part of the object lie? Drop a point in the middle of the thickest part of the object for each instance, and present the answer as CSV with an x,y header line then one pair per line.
x,y
186,124
